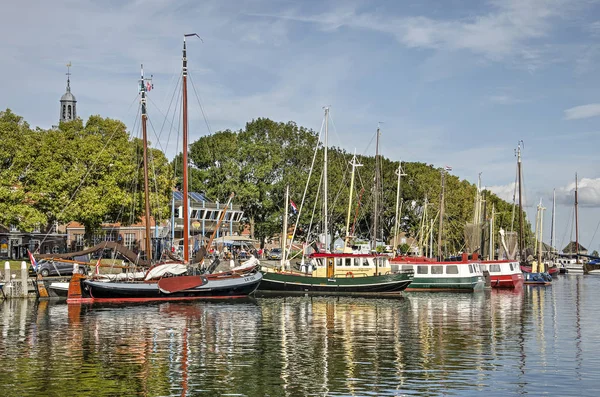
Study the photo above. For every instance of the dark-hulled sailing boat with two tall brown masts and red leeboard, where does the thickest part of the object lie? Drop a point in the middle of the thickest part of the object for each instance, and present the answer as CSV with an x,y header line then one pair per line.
x,y
171,280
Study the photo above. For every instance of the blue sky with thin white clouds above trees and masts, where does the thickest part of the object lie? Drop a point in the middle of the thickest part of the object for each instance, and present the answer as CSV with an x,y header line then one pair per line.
x,y
455,82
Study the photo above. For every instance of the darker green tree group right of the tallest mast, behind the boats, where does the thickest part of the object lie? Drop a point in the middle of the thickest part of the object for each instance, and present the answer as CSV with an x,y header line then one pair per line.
x,y
257,162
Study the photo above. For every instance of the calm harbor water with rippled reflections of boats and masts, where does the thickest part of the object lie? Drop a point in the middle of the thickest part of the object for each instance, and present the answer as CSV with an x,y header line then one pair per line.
x,y
537,341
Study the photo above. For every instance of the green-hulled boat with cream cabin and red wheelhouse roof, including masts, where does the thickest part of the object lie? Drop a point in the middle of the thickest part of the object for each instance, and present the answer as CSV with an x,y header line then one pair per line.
x,y
344,273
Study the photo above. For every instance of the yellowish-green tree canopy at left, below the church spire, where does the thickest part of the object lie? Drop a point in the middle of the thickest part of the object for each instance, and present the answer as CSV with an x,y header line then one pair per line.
x,y
87,173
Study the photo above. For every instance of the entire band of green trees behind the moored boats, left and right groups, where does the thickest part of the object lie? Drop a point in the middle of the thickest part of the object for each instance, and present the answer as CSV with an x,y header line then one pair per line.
x,y
92,173
